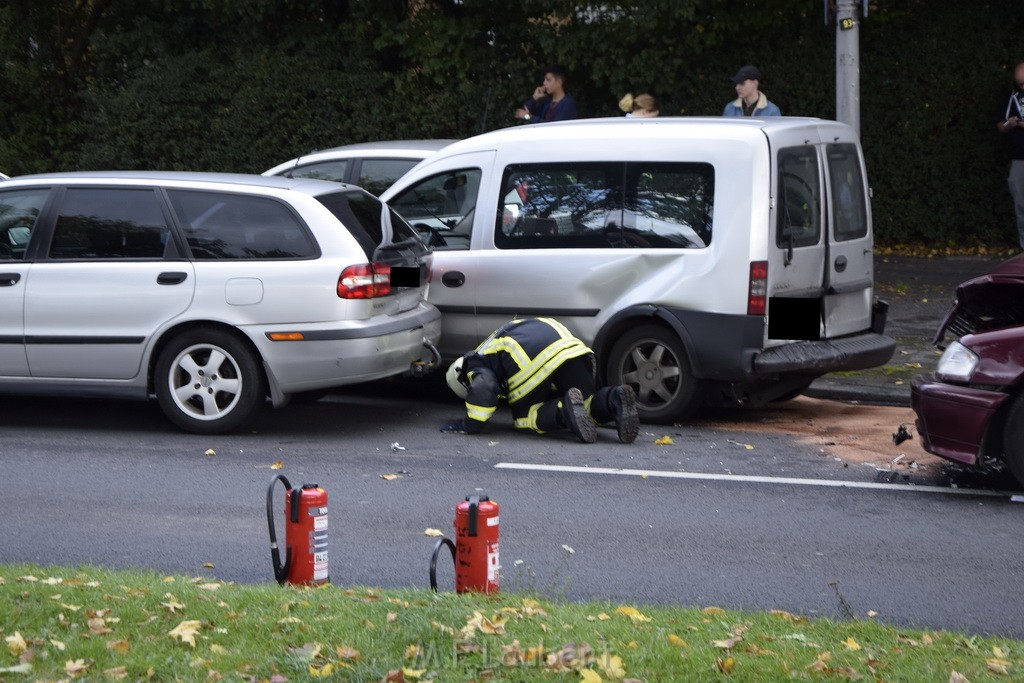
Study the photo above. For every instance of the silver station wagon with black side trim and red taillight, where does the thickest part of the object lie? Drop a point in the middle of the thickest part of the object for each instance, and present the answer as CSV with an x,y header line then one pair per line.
x,y
211,292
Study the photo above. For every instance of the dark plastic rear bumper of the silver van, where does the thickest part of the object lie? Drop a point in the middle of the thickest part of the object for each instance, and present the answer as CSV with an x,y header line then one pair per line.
x,y
828,356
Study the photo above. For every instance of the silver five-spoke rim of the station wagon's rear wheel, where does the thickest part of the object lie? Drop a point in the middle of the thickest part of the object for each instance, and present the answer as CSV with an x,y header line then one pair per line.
x,y
206,382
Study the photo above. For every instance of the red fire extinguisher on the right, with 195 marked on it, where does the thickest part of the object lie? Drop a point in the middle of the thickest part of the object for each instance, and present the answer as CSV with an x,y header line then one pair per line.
x,y
476,549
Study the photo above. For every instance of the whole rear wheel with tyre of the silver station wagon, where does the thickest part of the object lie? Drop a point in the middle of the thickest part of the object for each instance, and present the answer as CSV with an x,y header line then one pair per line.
x,y
209,381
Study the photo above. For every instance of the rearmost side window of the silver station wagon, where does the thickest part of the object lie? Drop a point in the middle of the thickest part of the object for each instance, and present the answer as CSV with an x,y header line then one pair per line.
x,y
226,227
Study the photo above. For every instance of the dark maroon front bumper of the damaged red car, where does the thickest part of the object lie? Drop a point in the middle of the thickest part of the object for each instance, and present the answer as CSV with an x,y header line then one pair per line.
x,y
953,420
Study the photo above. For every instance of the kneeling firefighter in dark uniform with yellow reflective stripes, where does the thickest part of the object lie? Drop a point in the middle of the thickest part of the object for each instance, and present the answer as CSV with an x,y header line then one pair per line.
x,y
547,376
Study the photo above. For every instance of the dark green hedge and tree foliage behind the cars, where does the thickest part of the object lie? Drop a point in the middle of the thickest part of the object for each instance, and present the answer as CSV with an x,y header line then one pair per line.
x,y
240,86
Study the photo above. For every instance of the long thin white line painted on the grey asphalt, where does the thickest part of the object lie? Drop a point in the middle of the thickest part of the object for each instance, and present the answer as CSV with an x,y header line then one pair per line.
x,y
834,484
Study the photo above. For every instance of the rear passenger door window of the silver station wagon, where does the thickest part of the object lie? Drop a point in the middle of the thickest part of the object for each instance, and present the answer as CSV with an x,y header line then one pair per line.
x,y
110,224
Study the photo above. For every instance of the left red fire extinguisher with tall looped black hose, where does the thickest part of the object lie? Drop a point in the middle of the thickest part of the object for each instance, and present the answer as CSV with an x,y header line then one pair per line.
x,y
306,534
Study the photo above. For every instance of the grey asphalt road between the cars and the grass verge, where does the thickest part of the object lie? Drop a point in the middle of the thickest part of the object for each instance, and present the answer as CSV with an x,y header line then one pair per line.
x,y
112,484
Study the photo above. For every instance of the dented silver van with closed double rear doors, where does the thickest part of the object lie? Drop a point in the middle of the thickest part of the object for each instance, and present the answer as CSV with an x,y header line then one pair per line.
x,y
705,261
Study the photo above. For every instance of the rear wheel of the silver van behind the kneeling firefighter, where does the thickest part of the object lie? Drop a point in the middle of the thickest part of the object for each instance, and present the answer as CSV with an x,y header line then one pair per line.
x,y
654,361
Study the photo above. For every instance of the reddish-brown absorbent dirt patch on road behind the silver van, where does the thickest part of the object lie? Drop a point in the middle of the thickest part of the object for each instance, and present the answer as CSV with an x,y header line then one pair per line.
x,y
854,433
